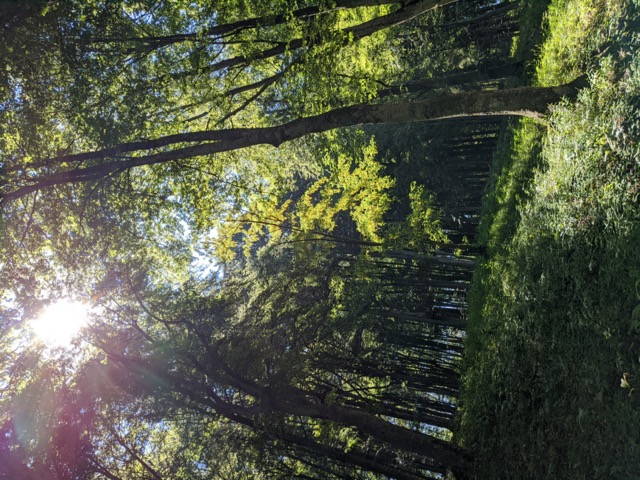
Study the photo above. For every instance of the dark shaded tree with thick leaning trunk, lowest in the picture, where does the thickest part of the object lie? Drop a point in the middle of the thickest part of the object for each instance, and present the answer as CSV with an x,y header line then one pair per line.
x,y
257,355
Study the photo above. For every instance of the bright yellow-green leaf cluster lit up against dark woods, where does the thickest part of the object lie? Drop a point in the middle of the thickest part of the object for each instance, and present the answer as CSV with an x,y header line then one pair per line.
x,y
354,186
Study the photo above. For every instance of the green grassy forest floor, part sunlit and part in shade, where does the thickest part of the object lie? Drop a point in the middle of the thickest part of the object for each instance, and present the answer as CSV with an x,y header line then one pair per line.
x,y
551,386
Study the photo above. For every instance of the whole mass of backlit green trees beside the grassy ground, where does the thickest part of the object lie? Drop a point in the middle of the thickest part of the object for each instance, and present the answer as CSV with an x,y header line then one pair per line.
x,y
268,300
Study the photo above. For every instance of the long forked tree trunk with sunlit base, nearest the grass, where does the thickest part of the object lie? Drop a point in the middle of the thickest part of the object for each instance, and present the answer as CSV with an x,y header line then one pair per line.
x,y
525,101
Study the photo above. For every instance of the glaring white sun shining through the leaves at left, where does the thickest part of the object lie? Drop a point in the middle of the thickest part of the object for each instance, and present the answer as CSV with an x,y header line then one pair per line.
x,y
60,322
